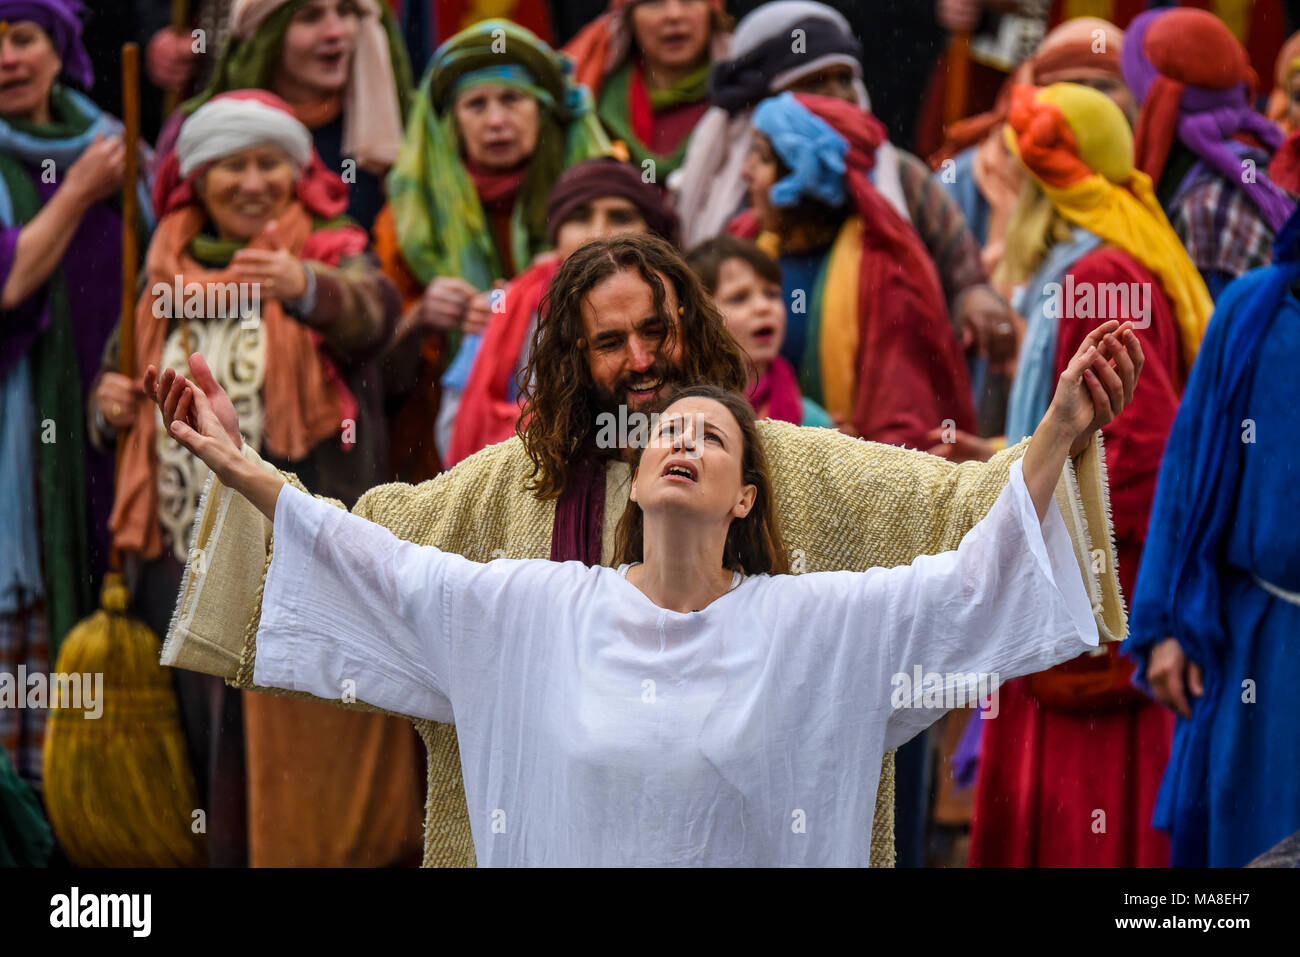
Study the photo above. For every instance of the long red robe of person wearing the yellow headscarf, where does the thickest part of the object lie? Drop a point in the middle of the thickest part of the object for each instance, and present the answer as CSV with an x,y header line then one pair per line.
x,y
1045,774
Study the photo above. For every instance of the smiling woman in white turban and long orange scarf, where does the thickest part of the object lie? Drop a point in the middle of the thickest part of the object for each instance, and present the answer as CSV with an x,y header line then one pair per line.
x,y
245,202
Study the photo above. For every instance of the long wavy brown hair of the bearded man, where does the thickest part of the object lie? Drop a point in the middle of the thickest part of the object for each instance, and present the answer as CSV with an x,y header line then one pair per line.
x,y
558,423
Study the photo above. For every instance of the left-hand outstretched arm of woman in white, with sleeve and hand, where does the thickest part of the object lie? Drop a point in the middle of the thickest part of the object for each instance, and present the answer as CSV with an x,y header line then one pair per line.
x,y
349,612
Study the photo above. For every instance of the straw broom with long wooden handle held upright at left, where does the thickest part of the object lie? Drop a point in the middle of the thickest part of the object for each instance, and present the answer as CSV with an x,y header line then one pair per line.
x,y
119,789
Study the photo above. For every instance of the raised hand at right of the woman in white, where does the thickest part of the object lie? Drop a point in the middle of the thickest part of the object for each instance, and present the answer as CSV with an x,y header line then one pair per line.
x,y
1098,384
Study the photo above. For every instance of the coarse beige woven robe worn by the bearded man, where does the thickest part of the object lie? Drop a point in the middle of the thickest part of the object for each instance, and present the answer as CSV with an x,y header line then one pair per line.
x,y
844,504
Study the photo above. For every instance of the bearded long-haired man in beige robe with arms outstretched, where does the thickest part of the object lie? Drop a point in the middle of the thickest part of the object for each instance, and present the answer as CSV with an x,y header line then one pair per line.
x,y
627,322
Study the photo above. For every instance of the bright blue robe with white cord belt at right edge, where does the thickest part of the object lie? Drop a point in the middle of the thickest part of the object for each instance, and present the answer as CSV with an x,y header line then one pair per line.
x,y
1225,512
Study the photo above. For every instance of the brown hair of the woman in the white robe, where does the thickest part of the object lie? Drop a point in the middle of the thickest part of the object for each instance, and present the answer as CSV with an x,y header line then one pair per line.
x,y
755,543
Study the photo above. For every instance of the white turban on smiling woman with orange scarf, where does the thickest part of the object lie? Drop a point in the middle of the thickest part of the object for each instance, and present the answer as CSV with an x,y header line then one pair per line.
x,y
226,125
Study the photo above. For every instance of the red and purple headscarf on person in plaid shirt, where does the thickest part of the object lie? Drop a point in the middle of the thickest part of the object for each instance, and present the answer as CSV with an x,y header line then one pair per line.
x,y
1195,45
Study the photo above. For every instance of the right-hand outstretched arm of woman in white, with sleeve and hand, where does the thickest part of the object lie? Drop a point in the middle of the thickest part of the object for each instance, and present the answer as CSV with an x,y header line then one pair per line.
x,y
1008,601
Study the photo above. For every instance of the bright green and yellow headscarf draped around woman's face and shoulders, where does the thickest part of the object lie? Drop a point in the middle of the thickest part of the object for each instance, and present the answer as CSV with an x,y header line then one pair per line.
x,y
440,222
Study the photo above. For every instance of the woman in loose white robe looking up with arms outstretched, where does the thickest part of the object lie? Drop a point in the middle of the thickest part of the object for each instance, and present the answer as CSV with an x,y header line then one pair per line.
x,y
695,708
